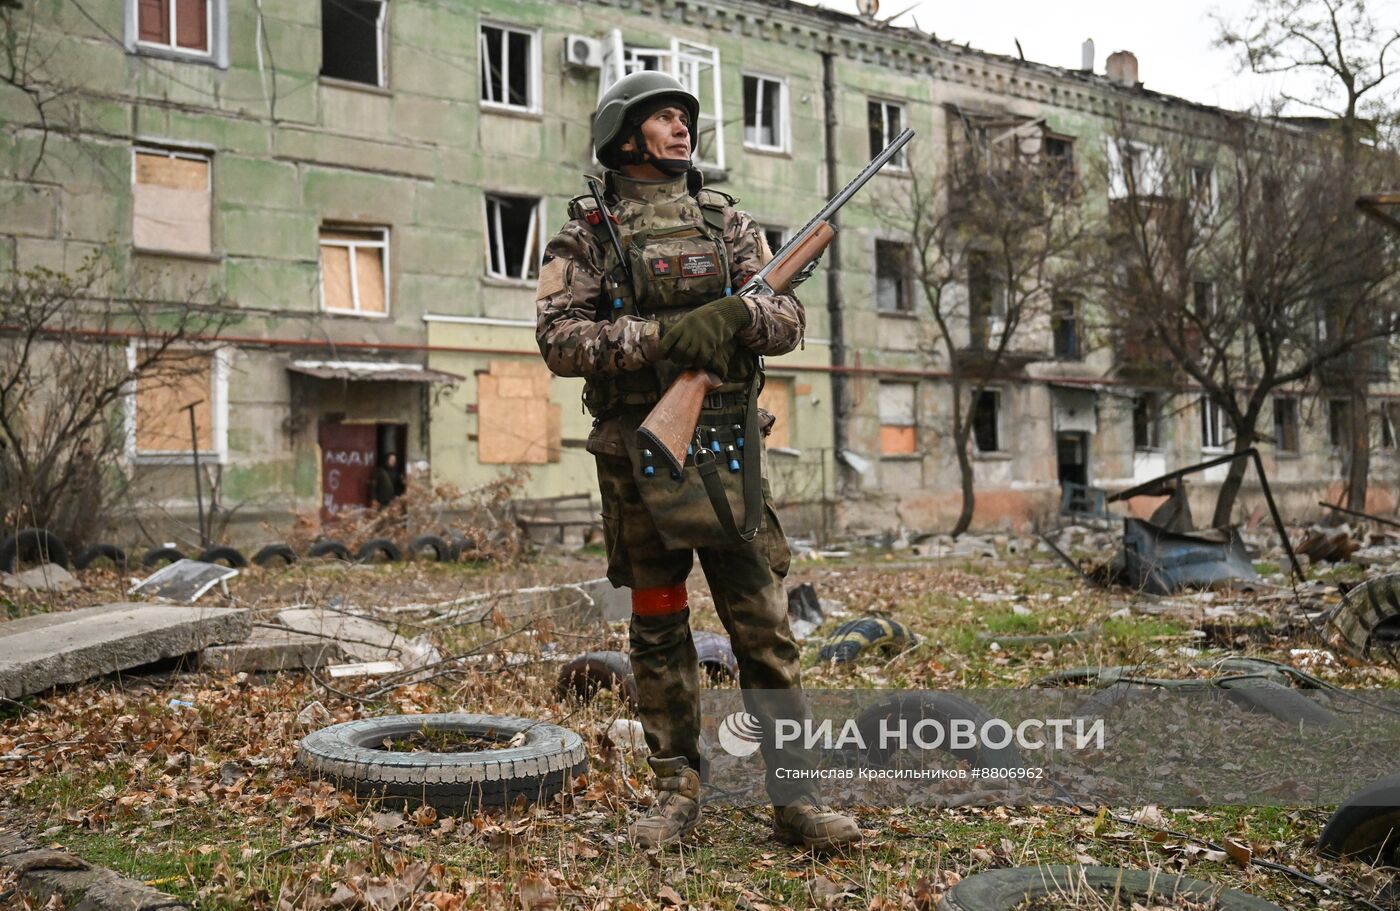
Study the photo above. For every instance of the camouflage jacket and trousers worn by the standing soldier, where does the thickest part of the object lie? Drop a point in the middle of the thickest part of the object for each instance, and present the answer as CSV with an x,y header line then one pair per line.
x,y
580,339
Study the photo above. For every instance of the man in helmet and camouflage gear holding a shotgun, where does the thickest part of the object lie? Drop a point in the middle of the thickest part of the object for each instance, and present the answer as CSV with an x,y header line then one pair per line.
x,y
629,328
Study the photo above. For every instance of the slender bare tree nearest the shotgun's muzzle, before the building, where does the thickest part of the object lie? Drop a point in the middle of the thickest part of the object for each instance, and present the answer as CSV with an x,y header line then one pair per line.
x,y
996,243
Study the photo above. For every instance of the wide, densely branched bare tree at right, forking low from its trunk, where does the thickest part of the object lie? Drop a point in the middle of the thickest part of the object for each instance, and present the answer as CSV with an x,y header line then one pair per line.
x,y
1241,264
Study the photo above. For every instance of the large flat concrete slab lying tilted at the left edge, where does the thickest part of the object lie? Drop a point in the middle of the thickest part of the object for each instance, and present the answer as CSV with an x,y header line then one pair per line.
x,y
43,651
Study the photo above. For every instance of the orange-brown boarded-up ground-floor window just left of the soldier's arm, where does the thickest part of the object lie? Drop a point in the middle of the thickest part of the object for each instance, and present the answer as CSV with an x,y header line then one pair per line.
x,y
516,422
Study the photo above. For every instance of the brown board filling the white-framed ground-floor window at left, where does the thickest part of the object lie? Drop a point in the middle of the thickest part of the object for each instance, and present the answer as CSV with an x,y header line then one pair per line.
x,y
162,421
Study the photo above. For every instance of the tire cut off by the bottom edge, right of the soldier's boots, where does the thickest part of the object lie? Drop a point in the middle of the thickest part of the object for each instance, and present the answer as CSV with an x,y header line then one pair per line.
x,y
1004,891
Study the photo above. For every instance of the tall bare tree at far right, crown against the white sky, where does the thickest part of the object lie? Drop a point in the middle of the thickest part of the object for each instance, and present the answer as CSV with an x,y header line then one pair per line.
x,y
1339,61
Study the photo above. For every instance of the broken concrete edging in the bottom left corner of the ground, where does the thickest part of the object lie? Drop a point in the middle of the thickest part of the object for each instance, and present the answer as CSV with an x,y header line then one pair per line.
x,y
44,874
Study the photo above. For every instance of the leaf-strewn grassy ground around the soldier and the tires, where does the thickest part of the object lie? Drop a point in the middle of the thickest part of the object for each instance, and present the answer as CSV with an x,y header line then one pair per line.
x,y
206,804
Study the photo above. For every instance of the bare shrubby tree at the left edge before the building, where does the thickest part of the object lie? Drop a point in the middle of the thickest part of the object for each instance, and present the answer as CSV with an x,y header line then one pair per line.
x,y
72,355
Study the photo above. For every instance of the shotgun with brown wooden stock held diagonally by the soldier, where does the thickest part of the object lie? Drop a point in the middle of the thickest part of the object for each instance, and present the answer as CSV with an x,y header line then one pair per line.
x,y
671,425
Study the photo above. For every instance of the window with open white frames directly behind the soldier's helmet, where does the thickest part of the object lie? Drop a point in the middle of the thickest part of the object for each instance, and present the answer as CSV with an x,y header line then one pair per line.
x,y
695,65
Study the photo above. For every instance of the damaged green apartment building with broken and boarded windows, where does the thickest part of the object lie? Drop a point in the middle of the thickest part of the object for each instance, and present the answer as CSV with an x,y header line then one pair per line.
x,y
367,185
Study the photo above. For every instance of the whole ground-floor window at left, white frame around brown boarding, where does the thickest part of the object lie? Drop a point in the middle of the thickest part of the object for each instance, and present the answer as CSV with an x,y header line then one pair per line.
x,y
160,423
